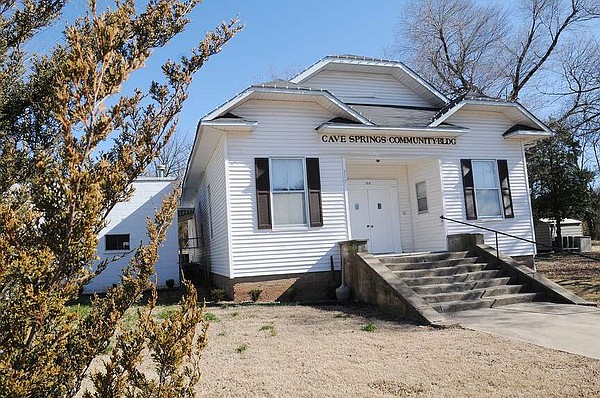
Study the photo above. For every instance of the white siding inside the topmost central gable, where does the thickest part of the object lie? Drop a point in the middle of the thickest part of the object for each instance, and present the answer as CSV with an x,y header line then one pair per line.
x,y
366,88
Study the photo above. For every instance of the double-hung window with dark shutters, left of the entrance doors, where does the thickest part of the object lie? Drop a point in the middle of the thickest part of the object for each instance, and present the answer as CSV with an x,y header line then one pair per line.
x,y
288,192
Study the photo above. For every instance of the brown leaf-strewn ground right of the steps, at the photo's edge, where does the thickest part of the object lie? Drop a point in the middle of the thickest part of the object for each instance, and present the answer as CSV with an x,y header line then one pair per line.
x,y
578,274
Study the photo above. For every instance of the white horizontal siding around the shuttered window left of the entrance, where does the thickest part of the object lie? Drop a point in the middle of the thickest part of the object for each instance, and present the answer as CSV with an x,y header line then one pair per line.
x,y
285,129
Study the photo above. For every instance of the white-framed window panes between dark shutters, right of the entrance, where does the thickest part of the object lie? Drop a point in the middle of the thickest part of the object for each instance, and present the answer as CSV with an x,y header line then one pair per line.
x,y
487,191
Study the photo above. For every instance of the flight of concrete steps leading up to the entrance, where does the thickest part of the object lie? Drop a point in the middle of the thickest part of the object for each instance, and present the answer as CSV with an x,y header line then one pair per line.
x,y
455,281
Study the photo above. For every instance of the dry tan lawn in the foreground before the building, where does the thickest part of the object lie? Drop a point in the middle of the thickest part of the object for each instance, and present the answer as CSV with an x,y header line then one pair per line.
x,y
321,351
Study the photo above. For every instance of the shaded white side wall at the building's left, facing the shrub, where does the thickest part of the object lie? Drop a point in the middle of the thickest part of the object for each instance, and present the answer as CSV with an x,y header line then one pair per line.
x,y
212,208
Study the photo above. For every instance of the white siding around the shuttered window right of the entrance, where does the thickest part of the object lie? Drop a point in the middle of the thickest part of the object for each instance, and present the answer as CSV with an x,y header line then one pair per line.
x,y
485,141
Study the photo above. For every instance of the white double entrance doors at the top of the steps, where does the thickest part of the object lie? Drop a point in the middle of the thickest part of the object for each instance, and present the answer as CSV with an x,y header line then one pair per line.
x,y
373,210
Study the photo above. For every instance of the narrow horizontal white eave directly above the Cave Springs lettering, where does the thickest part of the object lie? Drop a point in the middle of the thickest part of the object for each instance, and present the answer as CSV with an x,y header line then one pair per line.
x,y
337,128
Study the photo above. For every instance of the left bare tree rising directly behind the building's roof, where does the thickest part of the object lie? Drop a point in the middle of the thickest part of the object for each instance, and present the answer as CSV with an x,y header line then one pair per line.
x,y
454,43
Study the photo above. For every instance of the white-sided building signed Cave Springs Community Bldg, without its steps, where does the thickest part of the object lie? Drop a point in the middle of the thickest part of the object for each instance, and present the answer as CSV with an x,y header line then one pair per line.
x,y
352,148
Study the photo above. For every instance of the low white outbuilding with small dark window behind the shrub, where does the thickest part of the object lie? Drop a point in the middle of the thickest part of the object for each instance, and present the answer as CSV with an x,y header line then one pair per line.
x,y
126,229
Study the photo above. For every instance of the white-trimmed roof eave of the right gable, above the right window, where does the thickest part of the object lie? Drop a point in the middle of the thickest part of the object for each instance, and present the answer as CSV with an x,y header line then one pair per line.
x,y
512,110
